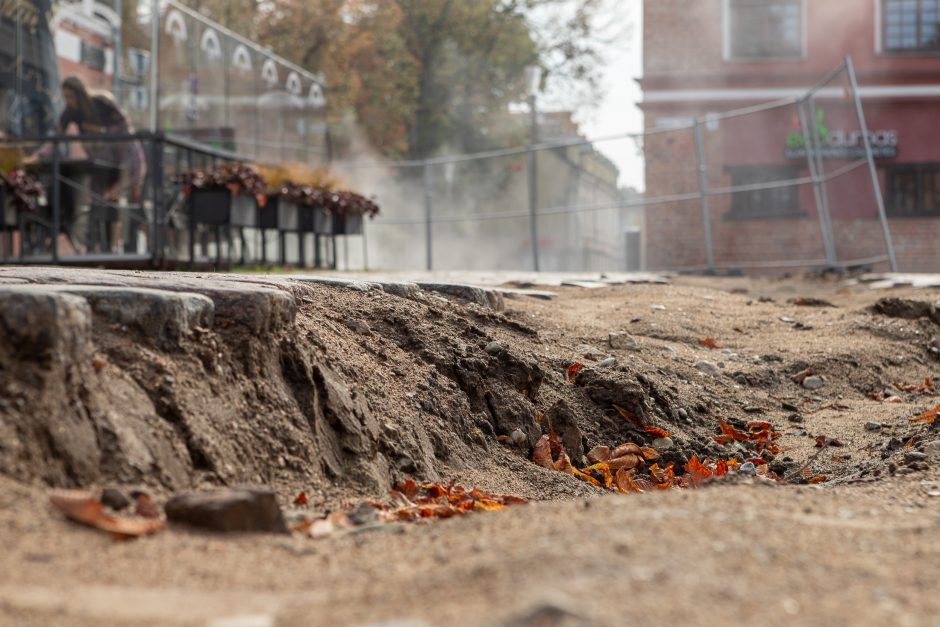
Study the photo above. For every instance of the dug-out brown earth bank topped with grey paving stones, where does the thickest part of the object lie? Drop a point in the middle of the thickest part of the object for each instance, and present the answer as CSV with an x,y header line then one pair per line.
x,y
340,389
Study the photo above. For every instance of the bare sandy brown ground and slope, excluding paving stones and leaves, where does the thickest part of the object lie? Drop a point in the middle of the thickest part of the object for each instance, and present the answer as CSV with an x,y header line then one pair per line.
x,y
863,547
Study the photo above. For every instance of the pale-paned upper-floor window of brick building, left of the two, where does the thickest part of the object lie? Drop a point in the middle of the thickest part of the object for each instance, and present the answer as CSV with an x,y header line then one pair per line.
x,y
765,29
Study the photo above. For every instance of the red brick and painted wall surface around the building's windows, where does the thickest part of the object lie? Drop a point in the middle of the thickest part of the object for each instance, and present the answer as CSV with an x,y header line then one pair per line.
x,y
683,43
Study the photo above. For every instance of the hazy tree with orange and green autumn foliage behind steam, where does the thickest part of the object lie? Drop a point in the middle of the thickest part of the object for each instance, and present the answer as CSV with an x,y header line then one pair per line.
x,y
421,76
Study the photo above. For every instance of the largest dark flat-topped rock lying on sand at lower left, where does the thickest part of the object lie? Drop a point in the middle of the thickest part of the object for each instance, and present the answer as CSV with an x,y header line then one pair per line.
x,y
229,509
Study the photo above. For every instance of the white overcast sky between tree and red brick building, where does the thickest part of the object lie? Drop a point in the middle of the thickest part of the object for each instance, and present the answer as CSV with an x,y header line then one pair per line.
x,y
617,112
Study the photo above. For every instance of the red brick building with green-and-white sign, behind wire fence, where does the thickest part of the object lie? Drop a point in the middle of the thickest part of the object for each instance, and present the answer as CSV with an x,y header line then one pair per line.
x,y
708,56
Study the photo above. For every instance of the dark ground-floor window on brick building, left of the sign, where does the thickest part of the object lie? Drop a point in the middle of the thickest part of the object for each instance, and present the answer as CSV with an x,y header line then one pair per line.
x,y
775,202
